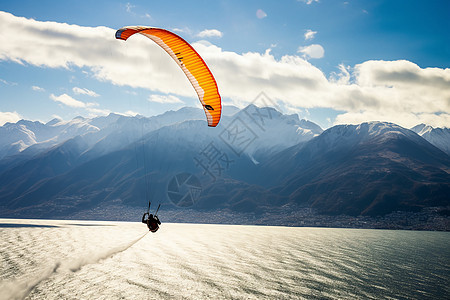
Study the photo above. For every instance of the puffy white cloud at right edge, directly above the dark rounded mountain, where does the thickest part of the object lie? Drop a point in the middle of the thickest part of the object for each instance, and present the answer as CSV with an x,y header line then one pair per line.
x,y
401,92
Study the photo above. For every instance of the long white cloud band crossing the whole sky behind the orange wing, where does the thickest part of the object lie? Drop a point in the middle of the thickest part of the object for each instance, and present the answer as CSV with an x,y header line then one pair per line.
x,y
395,91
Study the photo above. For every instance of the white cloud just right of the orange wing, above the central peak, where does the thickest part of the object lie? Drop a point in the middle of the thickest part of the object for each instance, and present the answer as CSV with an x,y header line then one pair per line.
x,y
243,76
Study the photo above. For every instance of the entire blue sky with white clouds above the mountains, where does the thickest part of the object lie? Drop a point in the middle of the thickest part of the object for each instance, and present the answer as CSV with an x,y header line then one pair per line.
x,y
329,61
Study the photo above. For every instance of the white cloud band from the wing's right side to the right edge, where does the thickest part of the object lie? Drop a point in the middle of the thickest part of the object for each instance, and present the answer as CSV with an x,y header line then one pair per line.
x,y
397,91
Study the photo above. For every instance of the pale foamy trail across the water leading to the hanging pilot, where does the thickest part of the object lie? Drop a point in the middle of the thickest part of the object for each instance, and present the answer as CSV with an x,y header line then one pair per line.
x,y
22,287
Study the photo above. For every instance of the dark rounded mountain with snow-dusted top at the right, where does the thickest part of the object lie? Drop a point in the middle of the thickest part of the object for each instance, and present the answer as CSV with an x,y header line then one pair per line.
x,y
372,168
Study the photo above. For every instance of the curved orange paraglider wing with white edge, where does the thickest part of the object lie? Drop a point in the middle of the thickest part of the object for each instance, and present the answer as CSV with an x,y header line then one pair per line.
x,y
190,62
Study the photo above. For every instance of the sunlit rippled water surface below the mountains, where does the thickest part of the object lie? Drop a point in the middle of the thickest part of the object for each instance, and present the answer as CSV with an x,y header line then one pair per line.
x,y
117,260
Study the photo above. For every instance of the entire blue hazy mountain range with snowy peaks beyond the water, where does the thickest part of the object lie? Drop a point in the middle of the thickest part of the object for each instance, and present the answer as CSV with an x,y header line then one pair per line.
x,y
256,160
